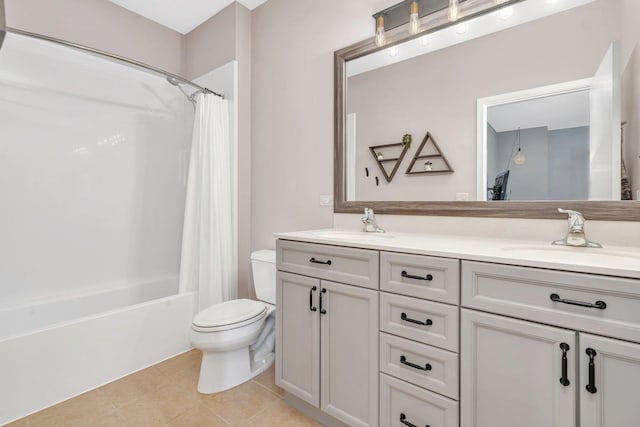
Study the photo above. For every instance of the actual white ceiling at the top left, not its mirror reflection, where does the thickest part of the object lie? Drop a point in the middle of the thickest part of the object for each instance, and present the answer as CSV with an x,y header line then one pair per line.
x,y
181,16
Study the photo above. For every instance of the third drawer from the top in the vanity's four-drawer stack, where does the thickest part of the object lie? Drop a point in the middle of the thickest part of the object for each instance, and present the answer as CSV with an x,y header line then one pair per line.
x,y
420,364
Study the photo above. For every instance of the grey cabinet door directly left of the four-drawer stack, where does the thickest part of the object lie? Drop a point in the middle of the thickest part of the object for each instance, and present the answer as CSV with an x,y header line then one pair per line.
x,y
349,347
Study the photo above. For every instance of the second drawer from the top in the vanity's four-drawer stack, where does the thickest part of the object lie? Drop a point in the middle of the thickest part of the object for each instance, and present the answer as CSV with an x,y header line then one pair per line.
x,y
399,314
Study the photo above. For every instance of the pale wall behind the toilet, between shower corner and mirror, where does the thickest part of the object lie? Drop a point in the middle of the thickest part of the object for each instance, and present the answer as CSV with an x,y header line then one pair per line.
x,y
292,103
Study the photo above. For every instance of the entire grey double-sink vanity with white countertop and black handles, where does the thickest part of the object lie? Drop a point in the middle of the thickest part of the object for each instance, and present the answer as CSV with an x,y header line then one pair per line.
x,y
399,329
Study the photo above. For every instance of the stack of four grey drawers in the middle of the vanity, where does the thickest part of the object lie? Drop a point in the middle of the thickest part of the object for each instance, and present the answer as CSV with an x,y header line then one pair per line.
x,y
419,336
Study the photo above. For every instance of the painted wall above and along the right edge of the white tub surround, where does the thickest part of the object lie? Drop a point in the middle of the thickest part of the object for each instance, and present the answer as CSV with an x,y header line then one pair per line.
x,y
91,23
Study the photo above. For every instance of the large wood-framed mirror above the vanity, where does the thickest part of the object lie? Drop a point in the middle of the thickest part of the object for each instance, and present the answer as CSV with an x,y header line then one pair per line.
x,y
454,81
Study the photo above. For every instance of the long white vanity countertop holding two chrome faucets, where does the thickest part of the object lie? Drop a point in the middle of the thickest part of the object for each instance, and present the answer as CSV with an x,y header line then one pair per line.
x,y
623,261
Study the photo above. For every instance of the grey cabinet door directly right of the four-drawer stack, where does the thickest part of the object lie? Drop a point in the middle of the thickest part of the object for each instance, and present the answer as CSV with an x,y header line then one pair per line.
x,y
511,373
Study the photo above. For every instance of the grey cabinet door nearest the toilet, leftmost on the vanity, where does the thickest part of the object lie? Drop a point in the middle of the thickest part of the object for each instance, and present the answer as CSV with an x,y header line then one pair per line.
x,y
298,336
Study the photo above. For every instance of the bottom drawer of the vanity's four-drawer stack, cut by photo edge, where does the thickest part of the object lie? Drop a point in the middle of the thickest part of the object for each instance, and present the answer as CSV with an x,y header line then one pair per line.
x,y
414,405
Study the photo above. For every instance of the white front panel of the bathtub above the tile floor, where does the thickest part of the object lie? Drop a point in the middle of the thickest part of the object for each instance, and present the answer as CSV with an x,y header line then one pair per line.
x,y
42,368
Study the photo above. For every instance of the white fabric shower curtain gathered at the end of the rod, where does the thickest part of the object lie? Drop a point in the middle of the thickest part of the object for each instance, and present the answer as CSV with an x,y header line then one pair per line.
x,y
207,247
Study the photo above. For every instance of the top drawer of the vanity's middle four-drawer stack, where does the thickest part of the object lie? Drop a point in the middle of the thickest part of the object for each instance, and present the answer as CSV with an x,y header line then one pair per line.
x,y
435,278
